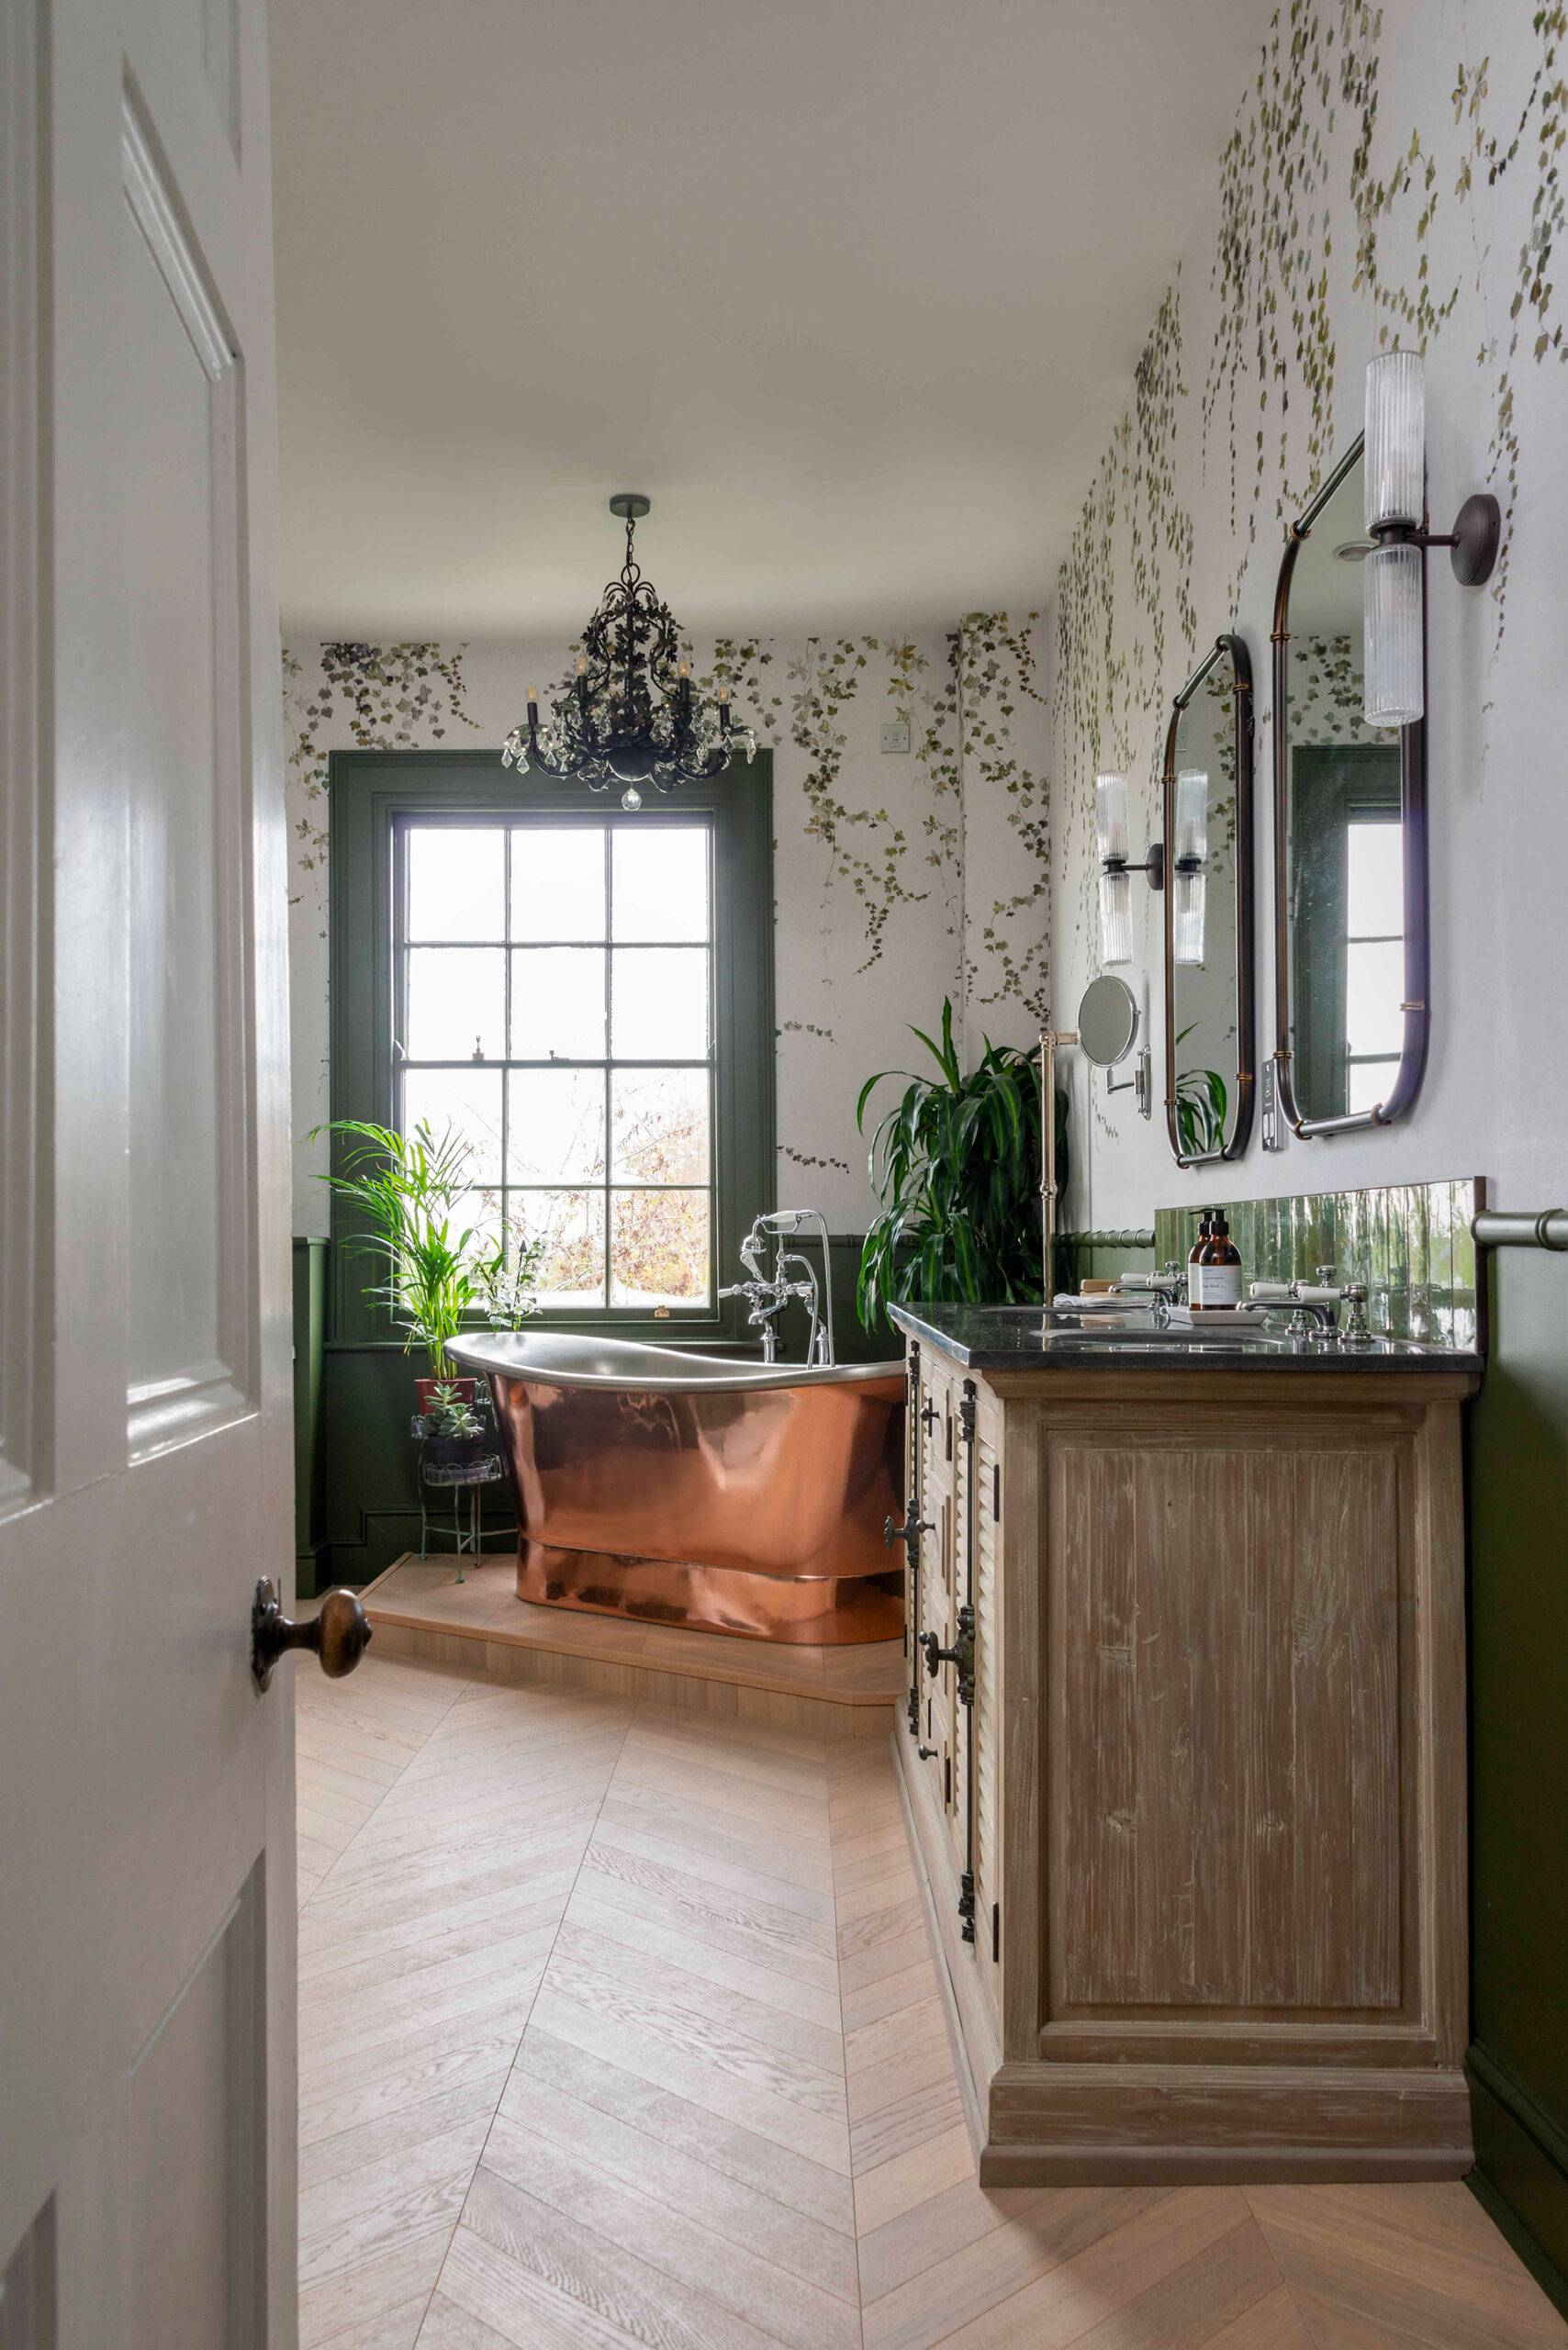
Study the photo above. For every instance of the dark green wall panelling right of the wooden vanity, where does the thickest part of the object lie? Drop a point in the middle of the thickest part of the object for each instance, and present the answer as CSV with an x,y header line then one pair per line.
x,y
1520,1761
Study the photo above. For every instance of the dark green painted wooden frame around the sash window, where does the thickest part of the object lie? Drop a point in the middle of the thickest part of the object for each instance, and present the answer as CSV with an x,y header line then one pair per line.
x,y
373,803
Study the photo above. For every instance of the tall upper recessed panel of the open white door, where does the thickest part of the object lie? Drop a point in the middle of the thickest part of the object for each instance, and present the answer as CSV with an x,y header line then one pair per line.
x,y
182,551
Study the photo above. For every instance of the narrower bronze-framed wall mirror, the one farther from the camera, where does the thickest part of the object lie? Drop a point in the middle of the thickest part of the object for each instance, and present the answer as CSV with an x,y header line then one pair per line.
x,y
1212,1056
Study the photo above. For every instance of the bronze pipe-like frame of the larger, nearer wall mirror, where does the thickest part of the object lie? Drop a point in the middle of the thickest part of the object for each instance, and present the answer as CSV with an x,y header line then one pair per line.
x,y
1414,847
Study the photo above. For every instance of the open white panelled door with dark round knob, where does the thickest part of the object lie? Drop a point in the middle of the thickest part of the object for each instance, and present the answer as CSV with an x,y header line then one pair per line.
x,y
147,1790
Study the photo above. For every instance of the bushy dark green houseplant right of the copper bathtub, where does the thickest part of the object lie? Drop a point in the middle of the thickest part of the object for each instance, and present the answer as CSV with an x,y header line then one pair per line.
x,y
956,1167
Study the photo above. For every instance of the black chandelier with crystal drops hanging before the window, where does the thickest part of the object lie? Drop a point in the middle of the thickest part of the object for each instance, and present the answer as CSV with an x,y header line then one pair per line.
x,y
631,713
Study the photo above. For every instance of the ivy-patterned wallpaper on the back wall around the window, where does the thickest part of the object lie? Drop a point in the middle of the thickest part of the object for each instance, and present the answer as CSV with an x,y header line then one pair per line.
x,y
899,878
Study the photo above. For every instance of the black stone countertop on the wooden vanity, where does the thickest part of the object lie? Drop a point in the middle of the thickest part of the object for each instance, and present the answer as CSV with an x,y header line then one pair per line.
x,y
1031,1338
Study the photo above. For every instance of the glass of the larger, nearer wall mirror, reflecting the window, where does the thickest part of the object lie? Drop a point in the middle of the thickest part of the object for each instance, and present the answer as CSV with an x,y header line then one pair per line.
x,y
1343,835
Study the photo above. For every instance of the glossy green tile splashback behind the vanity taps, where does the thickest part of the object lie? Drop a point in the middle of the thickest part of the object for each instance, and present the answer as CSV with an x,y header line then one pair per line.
x,y
1412,1247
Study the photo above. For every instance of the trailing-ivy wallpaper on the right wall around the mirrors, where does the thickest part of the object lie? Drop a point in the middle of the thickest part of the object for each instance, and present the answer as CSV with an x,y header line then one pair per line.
x,y
1395,177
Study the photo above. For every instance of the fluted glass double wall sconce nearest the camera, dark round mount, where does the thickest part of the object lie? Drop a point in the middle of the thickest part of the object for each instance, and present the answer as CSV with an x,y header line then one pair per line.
x,y
1395,513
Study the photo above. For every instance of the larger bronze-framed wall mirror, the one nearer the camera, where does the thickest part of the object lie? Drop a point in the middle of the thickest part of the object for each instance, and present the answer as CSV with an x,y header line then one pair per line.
x,y
1351,845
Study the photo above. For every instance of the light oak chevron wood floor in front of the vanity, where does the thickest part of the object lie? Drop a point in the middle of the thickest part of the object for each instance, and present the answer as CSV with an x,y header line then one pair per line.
x,y
619,2032
